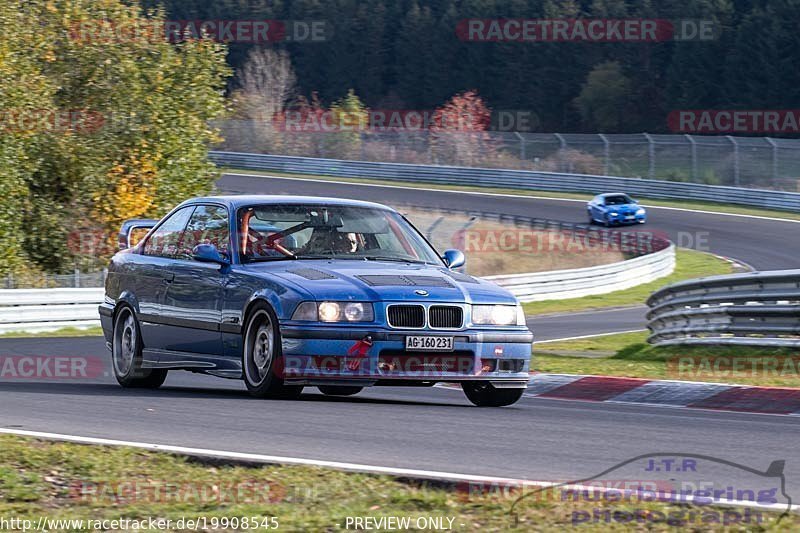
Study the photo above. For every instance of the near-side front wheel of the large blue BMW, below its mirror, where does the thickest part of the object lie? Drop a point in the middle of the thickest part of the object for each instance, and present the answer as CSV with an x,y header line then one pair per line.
x,y
262,358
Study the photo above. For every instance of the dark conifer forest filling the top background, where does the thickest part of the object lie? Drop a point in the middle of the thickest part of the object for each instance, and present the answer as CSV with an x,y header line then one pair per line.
x,y
404,54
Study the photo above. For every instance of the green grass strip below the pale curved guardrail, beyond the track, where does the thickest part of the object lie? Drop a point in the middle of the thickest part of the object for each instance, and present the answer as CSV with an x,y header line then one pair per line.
x,y
688,264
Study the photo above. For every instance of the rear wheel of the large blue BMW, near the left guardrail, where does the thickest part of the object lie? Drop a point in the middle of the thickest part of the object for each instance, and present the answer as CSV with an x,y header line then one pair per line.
x,y
126,354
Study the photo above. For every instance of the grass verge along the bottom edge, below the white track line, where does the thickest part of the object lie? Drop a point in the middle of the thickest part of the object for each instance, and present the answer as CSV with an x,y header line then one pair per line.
x,y
63,481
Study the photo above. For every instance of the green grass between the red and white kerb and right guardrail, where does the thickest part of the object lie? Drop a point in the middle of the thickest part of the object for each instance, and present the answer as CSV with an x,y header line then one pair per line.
x,y
629,355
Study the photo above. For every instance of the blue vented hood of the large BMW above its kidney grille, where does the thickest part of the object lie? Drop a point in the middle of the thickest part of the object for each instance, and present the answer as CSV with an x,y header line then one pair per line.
x,y
379,281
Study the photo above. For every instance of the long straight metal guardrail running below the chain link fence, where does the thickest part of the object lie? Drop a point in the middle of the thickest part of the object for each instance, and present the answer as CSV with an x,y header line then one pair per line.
x,y
509,179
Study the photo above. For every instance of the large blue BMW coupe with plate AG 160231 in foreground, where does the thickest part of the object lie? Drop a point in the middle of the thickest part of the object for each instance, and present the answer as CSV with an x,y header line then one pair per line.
x,y
285,292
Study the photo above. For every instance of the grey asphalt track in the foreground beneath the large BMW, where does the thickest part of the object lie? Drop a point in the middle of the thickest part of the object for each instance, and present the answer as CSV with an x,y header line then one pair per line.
x,y
429,429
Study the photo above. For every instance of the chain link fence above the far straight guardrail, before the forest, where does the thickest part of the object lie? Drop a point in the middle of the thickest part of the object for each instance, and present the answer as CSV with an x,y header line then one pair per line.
x,y
751,162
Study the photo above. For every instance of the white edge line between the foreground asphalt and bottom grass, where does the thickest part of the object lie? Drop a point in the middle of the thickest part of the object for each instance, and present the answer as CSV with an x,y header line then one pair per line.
x,y
349,467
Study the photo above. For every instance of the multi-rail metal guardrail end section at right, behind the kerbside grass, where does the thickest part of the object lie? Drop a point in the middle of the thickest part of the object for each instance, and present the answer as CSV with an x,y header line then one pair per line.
x,y
759,309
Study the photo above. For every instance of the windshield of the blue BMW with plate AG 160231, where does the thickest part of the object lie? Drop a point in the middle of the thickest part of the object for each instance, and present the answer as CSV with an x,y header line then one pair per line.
x,y
313,231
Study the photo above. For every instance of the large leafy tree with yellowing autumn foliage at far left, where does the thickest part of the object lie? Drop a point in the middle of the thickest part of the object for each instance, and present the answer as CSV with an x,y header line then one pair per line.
x,y
128,128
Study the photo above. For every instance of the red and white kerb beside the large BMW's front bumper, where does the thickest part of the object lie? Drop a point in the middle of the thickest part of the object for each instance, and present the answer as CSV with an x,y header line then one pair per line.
x,y
689,394
